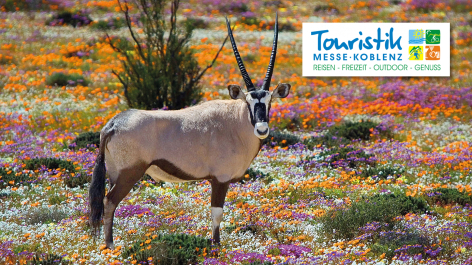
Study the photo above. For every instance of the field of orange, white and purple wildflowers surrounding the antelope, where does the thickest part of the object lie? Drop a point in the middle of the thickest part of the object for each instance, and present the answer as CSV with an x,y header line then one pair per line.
x,y
355,171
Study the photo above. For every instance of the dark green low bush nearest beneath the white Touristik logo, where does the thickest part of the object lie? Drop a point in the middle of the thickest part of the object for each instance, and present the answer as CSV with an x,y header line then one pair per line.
x,y
354,130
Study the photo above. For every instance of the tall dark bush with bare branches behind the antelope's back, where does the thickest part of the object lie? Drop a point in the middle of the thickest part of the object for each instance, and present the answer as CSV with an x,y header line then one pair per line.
x,y
168,78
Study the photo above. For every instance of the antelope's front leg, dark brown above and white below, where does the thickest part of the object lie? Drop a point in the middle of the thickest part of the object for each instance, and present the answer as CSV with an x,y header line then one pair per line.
x,y
218,194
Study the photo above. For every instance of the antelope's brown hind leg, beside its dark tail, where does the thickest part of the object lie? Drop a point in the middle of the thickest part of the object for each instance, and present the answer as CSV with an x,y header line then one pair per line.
x,y
122,186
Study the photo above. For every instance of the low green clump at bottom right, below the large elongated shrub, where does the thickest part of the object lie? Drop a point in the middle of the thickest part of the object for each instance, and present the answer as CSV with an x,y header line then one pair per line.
x,y
392,241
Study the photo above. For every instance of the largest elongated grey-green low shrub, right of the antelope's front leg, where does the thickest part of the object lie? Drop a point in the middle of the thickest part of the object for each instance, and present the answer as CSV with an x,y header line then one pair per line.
x,y
382,208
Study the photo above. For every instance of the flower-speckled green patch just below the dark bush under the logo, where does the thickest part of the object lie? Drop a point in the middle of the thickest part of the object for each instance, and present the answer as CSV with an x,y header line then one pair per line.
x,y
338,156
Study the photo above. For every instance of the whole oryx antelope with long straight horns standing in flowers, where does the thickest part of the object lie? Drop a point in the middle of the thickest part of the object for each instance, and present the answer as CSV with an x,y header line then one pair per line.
x,y
216,141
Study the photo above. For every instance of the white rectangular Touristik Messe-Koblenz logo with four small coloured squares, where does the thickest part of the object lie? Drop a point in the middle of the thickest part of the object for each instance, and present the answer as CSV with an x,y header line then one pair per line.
x,y
376,49
